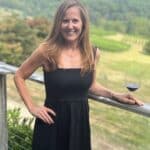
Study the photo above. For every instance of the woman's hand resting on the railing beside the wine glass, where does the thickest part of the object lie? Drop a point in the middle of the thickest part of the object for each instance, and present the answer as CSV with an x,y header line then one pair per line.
x,y
127,98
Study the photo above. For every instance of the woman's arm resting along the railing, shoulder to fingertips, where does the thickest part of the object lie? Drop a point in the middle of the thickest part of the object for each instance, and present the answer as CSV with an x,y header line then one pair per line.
x,y
97,89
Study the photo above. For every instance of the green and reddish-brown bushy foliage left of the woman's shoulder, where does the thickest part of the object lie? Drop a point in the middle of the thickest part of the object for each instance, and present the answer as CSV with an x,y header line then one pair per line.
x,y
19,37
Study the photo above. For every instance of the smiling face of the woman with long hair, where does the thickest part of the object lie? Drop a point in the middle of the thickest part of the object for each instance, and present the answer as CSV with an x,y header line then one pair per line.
x,y
71,26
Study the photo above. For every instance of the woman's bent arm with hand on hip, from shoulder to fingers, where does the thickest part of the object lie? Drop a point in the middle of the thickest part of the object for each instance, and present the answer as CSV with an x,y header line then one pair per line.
x,y
25,70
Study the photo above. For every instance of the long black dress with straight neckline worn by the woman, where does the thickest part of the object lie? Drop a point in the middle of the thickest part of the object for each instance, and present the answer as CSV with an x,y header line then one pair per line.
x,y
67,95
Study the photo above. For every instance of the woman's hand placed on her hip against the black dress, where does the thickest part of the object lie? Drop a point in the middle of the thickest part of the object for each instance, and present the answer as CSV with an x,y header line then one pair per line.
x,y
42,113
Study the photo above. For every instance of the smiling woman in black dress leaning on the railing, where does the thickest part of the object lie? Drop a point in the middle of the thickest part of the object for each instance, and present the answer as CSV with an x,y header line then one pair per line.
x,y
68,62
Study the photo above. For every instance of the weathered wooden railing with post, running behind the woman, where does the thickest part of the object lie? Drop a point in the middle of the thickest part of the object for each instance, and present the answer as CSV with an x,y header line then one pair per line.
x,y
9,69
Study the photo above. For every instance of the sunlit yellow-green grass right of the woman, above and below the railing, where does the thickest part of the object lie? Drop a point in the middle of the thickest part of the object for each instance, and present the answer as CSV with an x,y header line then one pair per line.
x,y
118,128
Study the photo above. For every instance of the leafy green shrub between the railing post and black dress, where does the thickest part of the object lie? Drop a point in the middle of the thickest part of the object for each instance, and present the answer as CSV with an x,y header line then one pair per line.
x,y
19,131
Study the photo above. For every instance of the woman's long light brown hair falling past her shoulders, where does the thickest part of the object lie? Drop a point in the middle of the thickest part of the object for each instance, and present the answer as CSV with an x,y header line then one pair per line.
x,y
56,41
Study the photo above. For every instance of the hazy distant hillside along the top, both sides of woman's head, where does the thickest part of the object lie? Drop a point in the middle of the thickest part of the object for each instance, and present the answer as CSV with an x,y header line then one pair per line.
x,y
109,9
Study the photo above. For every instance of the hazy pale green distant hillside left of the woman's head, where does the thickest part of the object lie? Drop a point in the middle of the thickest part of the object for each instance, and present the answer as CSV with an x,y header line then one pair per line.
x,y
32,8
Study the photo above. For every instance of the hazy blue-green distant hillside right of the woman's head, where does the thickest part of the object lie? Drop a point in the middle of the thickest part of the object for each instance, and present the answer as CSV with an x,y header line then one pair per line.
x,y
118,9
